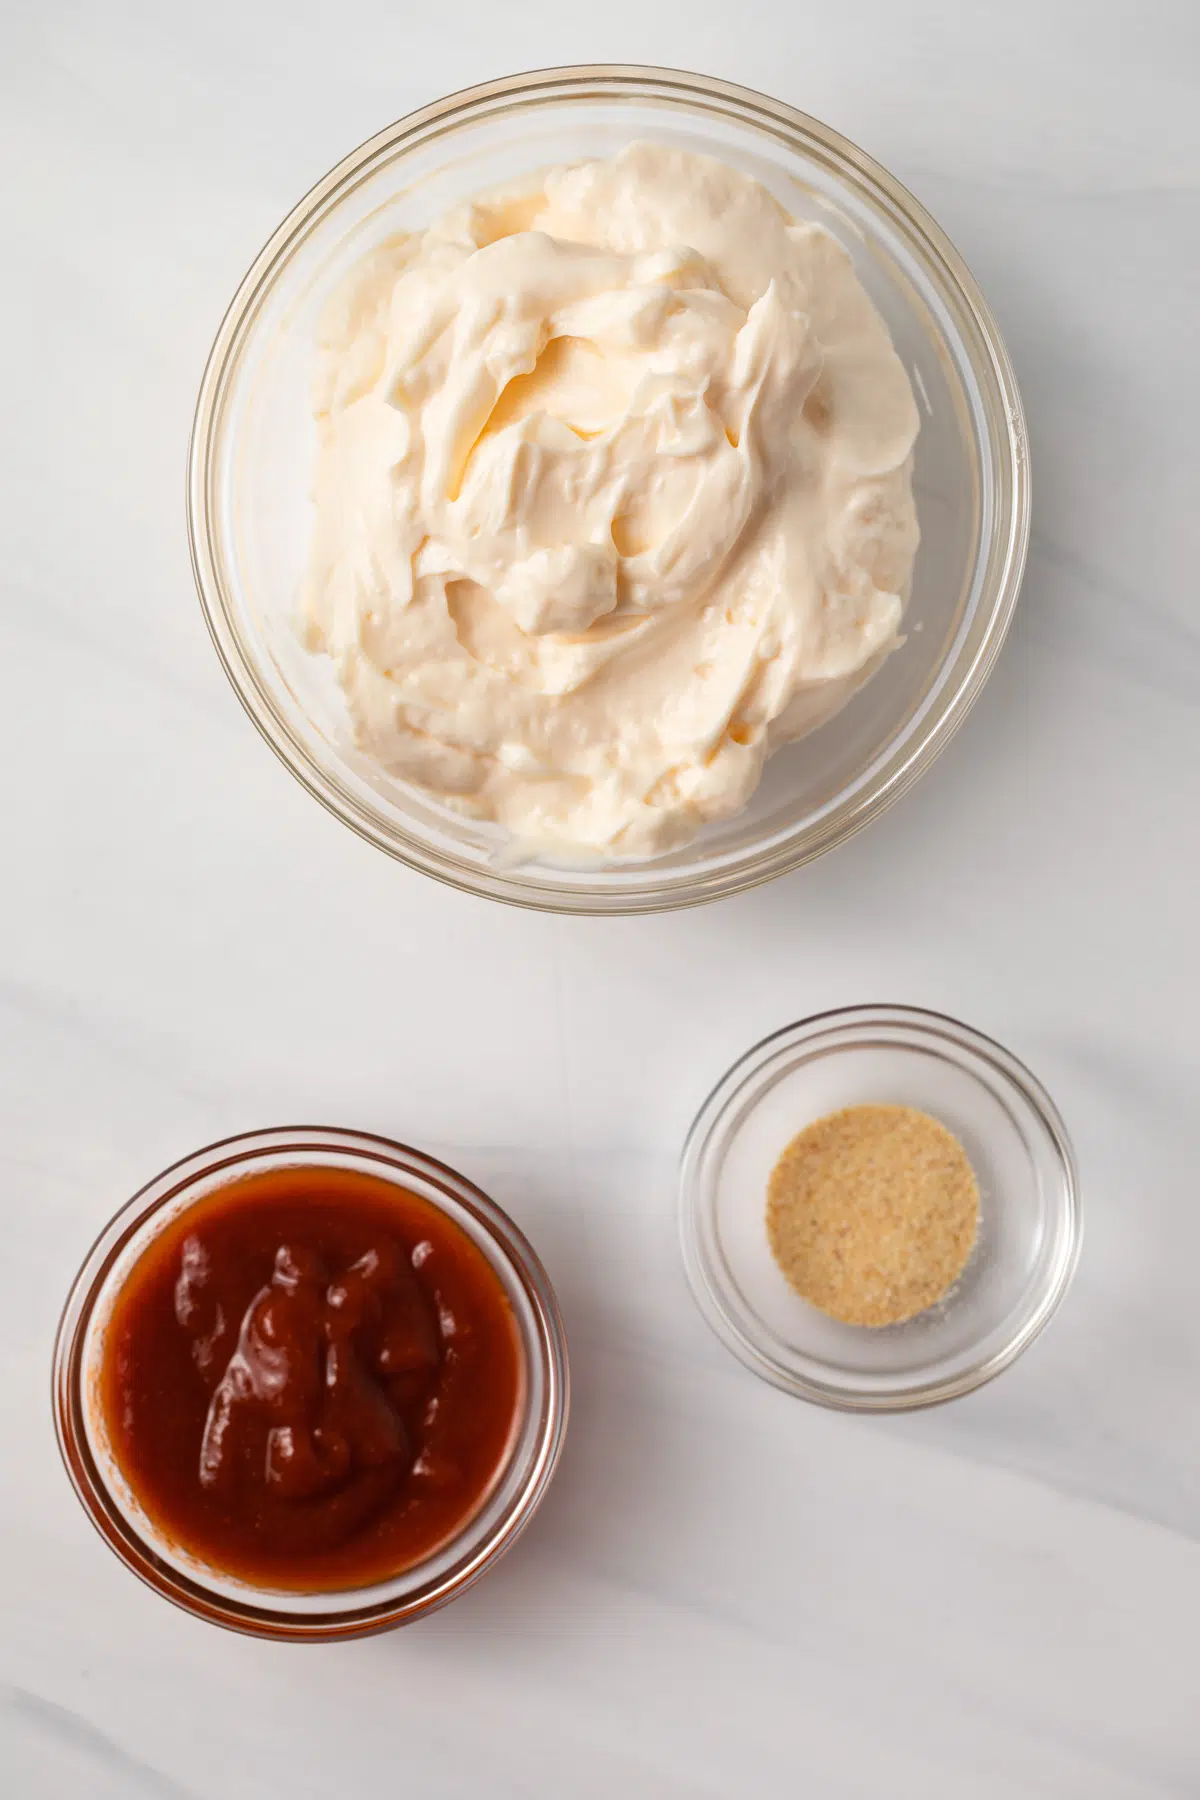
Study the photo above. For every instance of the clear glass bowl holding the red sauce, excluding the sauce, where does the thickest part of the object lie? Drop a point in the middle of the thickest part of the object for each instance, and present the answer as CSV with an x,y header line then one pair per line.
x,y
346,1614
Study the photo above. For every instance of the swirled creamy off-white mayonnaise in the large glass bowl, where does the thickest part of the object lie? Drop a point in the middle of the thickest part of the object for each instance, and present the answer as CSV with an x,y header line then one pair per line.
x,y
614,496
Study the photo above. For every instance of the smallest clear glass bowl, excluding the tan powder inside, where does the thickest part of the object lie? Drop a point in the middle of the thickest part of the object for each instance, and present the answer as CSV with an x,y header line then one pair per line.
x,y
1030,1223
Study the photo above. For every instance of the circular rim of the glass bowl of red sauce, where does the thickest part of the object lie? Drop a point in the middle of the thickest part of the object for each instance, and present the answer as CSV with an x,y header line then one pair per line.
x,y
253,1617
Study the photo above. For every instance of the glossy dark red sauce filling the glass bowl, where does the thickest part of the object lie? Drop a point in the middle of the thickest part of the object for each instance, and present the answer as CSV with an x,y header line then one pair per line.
x,y
312,1380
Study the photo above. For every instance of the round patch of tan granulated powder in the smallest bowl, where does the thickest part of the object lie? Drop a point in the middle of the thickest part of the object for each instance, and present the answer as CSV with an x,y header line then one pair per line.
x,y
872,1214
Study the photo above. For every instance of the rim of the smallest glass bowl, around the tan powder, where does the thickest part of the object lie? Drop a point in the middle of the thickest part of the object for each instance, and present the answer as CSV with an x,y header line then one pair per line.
x,y
929,1025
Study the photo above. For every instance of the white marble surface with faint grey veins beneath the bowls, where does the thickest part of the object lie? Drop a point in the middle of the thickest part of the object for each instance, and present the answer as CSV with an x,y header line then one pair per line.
x,y
728,1592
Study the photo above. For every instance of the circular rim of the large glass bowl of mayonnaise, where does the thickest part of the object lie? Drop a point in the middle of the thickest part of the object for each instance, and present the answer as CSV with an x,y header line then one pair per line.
x,y
990,364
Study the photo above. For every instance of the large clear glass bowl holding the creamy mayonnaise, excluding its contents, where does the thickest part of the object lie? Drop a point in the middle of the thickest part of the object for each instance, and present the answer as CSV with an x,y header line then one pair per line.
x,y
255,442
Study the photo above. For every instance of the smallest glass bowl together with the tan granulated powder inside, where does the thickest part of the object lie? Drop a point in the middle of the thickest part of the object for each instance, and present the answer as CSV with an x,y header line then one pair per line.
x,y
879,1209
